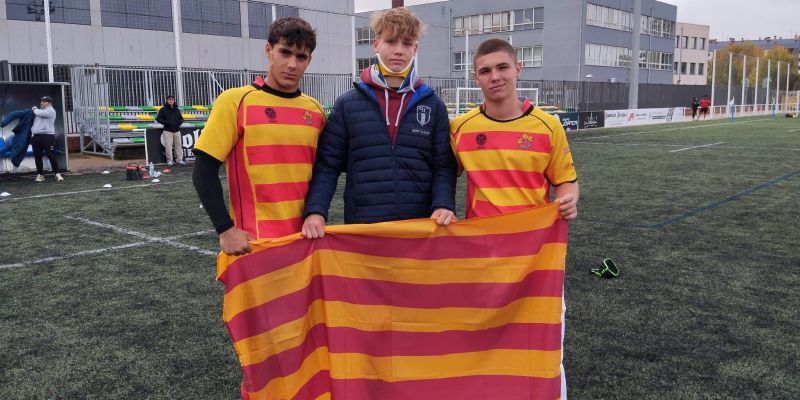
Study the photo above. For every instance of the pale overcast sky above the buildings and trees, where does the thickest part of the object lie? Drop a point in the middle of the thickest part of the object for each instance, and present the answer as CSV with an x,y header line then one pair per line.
x,y
727,18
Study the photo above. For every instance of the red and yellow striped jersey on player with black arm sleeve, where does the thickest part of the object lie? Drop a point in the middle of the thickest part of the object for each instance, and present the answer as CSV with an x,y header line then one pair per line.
x,y
268,141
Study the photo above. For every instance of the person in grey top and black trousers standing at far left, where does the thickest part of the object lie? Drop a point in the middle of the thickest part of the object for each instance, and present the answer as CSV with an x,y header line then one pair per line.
x,y
43,137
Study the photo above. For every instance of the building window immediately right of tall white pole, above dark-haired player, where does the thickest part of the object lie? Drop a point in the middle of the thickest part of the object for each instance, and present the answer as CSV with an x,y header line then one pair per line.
x,y
211,17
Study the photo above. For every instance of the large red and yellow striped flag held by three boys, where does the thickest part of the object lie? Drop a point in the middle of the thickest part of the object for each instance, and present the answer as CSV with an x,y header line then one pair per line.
x,y
403,310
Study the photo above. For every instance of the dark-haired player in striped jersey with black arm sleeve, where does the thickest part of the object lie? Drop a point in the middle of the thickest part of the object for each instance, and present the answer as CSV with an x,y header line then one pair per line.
x,y
266,134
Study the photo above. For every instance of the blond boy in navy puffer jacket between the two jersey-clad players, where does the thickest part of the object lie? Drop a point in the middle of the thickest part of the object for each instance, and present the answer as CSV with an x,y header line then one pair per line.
x,y
390,133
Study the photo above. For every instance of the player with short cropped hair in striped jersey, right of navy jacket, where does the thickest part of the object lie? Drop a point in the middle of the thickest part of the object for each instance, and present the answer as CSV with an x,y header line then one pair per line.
x,y
511,151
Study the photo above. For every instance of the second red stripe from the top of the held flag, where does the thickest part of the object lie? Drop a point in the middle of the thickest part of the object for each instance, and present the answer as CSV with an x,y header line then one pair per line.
x,y
541,283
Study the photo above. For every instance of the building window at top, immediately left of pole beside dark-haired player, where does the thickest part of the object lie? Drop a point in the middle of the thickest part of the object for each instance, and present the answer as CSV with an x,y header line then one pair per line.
x,y
153,15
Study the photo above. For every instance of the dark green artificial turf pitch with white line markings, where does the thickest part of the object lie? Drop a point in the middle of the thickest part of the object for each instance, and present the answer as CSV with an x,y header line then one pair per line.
x,y
110,293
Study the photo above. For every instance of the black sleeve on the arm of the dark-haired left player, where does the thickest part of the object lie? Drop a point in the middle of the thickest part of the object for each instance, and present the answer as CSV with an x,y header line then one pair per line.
x,y
209,188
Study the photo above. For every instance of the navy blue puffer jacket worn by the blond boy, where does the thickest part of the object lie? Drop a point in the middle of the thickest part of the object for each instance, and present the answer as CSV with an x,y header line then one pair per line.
x,y
385,182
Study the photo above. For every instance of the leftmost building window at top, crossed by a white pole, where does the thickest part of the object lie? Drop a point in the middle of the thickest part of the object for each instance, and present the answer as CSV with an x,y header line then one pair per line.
x,y
61,11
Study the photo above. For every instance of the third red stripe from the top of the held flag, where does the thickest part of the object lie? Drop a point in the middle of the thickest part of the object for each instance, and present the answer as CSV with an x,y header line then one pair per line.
x,y
546,337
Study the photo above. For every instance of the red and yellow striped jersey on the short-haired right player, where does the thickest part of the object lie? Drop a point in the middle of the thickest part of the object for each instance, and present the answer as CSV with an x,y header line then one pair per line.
x,y
510,165
